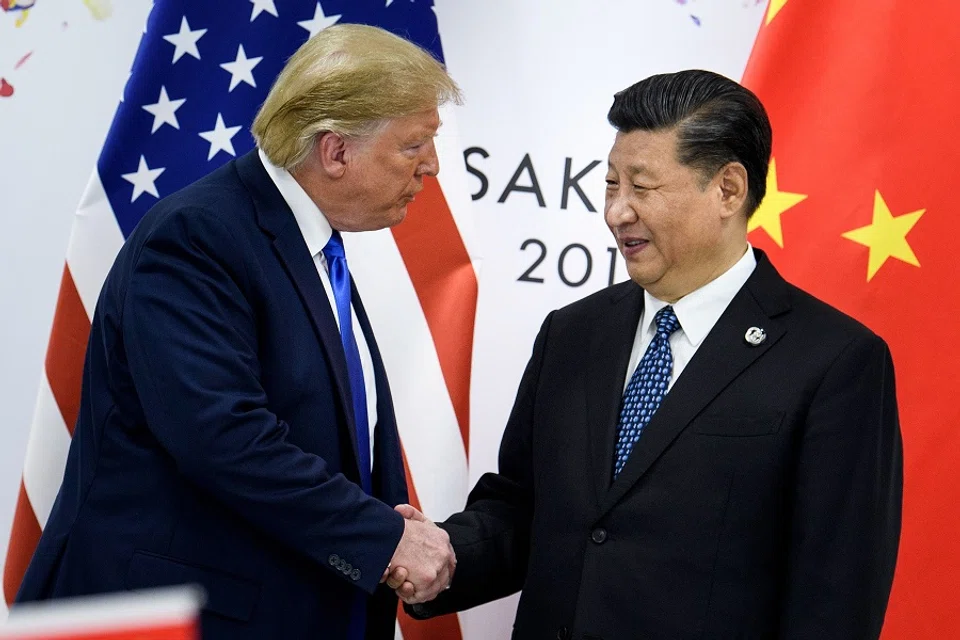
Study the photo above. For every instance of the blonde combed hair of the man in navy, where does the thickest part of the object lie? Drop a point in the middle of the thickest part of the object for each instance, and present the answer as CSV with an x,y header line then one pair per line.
x,y
347,79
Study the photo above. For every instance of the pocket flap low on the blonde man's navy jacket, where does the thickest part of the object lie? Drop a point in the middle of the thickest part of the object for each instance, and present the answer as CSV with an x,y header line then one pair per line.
x,y
227,595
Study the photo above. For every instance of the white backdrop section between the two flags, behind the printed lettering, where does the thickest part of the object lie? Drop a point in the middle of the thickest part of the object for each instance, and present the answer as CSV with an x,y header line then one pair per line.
x,y
539,77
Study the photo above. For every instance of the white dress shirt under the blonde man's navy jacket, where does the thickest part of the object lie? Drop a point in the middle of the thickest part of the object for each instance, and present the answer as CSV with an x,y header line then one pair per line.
x,y
316,233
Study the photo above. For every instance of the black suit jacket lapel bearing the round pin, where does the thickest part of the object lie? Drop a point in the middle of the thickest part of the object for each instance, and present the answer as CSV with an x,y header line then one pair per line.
x,y
723,356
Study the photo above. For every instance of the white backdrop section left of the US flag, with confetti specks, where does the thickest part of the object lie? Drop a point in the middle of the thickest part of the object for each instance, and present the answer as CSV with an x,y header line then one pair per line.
x,y
51,130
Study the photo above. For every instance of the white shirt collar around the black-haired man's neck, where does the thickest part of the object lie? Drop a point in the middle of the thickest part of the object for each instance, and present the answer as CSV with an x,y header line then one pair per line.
x,y
699,310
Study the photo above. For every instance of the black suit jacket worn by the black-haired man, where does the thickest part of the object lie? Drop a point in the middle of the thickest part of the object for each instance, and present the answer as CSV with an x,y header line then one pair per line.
x,y
762,500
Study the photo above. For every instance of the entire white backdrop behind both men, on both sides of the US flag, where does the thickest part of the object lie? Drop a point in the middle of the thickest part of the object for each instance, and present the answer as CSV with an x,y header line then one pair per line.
x,y
538,75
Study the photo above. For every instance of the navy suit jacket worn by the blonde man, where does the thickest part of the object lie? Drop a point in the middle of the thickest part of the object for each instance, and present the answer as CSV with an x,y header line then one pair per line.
x,y
215,442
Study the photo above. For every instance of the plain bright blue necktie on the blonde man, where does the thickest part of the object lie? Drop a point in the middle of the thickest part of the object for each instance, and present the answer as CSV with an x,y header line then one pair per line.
x,y
340,282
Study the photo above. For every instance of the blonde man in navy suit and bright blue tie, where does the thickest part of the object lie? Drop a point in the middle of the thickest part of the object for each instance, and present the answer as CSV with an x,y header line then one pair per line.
x,y
236,428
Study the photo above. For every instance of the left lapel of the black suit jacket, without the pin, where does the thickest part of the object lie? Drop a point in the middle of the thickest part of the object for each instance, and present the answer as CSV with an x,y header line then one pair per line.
x,y
610,346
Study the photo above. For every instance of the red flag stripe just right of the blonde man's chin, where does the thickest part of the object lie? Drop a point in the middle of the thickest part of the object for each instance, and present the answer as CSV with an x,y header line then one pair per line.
x,y
446,285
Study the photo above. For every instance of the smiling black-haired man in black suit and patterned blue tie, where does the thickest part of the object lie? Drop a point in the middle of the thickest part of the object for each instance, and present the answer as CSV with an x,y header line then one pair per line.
x,y
704,451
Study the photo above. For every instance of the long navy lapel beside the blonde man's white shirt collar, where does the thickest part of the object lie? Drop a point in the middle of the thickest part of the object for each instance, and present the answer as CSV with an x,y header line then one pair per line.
x,y
276,219
